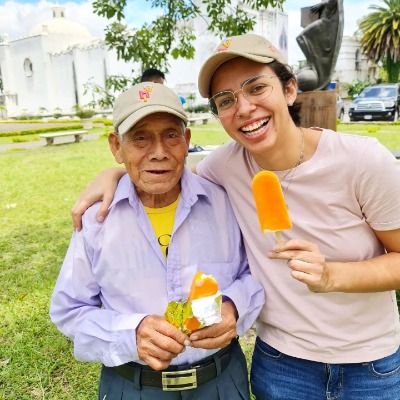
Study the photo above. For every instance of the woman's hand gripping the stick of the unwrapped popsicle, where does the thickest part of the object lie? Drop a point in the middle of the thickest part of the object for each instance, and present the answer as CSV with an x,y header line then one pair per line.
x,y
307,263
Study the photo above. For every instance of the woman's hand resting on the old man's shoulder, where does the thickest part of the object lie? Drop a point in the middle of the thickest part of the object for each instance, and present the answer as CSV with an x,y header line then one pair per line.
x,y
102,188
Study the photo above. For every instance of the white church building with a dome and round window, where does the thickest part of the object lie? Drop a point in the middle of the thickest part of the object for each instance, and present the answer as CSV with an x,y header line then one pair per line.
x,y
46,72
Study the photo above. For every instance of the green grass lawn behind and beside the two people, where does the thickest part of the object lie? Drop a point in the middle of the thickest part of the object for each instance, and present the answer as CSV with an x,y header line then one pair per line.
x,y
38,189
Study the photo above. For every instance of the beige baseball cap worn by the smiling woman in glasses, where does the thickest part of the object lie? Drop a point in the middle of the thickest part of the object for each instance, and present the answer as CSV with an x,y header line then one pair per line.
x,y
251,46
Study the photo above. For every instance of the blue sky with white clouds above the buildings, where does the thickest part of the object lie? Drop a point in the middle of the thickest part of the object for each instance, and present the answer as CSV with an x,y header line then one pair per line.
x,y
17,18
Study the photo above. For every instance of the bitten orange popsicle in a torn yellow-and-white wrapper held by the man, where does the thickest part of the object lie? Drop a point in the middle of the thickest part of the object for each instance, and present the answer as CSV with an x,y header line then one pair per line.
x,y
201,308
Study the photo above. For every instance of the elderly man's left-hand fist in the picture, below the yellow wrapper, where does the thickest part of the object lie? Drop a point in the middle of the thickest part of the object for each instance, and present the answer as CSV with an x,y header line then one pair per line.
x,y
158,342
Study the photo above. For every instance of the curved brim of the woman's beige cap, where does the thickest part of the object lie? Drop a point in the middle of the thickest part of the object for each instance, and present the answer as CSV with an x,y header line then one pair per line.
x,y
215,61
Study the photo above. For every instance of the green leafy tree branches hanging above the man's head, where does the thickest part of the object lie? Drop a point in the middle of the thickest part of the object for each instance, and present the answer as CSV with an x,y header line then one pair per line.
x,y
172,33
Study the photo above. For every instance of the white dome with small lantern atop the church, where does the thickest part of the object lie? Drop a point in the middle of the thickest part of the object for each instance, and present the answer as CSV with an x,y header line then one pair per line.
x,y
59,25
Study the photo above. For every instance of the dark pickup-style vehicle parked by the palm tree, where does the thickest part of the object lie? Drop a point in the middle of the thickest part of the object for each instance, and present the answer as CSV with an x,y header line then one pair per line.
x,y
377,102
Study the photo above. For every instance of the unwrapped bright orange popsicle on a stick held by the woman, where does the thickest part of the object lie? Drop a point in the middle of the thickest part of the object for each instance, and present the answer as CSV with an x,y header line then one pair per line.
x,y
270,203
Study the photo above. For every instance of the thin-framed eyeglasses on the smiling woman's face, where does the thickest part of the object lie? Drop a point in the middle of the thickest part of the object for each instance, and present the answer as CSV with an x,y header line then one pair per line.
x,y
254,89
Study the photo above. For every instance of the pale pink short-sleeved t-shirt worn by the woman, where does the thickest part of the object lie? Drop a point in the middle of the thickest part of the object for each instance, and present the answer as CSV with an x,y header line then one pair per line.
x,y
351,183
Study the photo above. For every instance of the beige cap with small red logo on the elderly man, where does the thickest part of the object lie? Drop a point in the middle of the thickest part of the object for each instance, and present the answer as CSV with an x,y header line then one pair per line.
x,y
144,99
